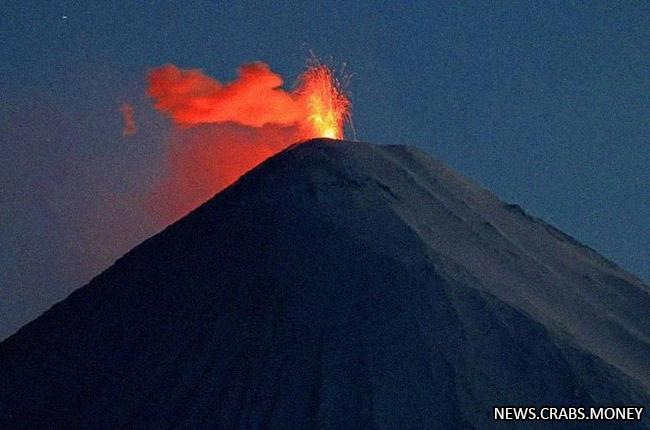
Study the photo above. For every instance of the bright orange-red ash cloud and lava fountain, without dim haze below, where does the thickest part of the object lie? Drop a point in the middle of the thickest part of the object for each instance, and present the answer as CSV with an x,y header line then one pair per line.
x,y
317,106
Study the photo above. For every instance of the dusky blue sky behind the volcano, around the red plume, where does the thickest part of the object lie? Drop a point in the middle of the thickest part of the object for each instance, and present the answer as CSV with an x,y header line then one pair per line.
x,y
545,103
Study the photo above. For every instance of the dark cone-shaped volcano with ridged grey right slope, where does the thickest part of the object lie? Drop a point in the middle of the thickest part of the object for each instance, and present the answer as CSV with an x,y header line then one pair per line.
x,y
337,285
